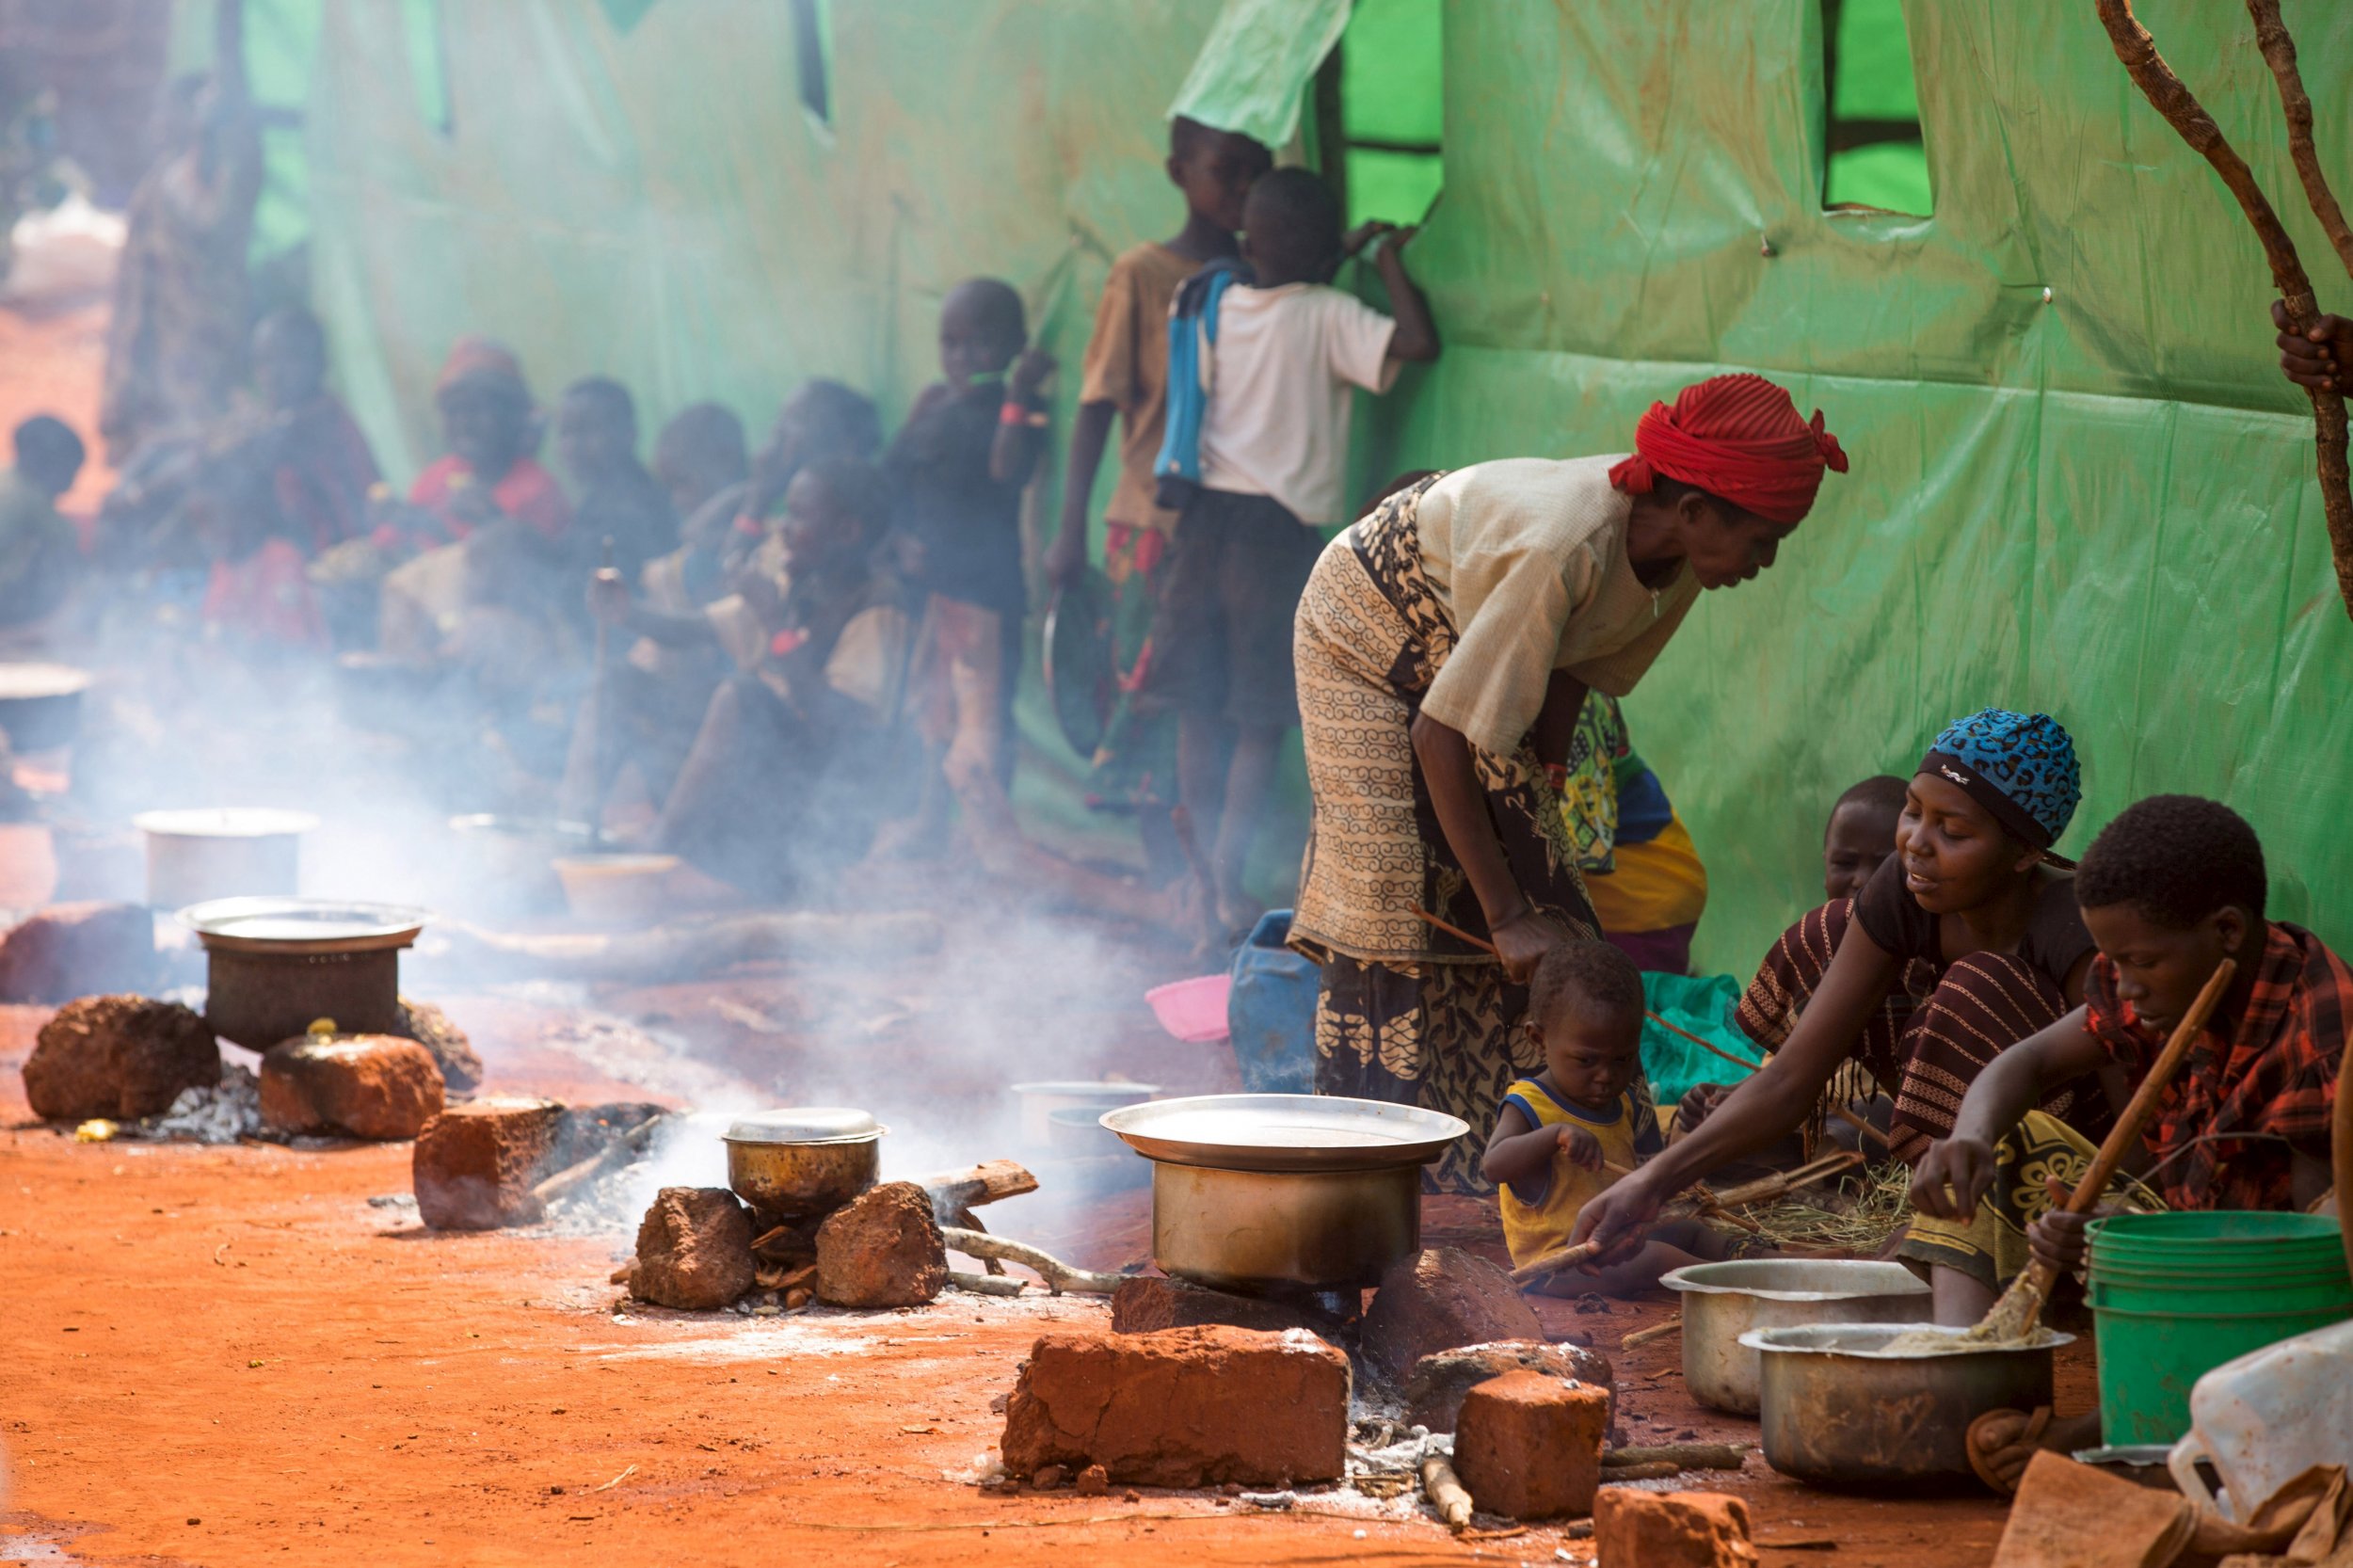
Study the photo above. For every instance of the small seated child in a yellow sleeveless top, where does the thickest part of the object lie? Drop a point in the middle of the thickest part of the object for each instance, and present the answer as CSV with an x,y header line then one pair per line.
x,y
1578,1127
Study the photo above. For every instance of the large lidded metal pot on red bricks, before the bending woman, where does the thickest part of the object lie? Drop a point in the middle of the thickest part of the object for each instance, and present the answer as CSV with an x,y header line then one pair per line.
x,y
1255,1192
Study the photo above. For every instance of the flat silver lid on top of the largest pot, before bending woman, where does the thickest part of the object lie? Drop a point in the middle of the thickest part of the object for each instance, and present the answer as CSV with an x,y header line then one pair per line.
x,y
1286,1134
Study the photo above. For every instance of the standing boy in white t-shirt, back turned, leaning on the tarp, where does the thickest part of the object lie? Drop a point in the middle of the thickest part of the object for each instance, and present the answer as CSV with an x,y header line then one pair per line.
x,y
1274,451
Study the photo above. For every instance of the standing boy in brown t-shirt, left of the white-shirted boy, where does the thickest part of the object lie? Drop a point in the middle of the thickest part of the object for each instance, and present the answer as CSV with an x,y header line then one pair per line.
x,y
1126,376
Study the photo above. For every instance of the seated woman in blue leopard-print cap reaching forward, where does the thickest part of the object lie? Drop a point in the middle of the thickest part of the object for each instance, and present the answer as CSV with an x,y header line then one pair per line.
x,y
1973,924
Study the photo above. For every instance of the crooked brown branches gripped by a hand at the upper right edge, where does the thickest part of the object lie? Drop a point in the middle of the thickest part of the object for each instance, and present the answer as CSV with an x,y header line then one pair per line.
x,y
2166,93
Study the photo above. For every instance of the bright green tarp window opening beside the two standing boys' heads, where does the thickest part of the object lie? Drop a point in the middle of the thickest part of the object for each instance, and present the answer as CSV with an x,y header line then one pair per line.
x,y
1380,112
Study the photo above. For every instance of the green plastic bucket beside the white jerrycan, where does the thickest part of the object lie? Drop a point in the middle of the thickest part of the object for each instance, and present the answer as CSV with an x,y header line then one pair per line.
x,y
2175,1296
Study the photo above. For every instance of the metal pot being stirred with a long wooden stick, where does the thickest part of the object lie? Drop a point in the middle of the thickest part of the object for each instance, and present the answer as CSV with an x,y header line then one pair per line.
x,y
1841,1411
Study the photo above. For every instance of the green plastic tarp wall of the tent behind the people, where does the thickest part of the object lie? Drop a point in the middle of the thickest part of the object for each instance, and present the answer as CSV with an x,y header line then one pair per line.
x,y
2079,477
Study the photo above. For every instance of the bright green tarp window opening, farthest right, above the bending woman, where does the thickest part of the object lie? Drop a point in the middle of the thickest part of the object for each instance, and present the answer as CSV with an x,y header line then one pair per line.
x,y
1877,157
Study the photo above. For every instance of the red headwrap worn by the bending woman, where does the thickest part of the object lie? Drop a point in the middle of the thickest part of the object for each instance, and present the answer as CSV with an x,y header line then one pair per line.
x,y
1740,439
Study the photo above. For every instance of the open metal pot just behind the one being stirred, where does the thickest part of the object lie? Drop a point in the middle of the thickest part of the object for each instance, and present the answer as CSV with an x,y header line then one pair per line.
x,y
1726,1301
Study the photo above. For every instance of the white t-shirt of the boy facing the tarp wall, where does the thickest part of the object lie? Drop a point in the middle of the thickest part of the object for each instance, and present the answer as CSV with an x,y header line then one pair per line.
x,y
1281,390
